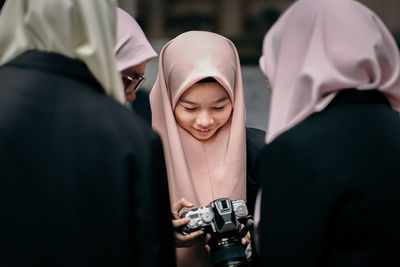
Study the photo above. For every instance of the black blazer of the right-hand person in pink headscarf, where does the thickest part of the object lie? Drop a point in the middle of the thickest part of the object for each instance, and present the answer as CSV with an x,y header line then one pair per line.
x,y
331,187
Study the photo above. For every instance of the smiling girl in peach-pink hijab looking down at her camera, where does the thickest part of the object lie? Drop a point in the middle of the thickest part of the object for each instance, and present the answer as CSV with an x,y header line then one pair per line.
x,y
198,109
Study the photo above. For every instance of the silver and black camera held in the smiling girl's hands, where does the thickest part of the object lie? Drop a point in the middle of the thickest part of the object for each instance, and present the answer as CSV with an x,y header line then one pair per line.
x,y
227,221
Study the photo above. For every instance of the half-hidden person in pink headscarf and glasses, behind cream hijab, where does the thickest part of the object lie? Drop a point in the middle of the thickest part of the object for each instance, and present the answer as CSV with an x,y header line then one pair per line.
x,y
133,51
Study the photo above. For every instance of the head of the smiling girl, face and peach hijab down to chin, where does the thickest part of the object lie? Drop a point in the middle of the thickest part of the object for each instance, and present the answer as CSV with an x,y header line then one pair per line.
x,y
200,73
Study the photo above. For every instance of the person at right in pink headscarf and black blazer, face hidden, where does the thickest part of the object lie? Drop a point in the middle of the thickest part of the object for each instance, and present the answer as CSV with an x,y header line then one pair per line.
x,y
330,192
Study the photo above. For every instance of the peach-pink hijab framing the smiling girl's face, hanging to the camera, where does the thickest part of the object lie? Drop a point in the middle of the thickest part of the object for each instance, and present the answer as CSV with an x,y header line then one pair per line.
x,y
198,171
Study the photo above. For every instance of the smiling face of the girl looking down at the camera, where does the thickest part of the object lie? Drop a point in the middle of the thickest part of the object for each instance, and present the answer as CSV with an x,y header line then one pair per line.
x,y
203,109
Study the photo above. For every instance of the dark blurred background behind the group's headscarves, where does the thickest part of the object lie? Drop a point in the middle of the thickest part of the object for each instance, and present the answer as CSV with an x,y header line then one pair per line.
x,y
245,22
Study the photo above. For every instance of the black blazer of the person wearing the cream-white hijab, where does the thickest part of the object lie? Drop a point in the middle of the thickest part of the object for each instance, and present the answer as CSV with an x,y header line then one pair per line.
x,y
83,179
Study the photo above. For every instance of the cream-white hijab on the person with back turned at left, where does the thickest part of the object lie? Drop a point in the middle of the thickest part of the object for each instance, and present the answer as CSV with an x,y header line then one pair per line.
x,y
81,29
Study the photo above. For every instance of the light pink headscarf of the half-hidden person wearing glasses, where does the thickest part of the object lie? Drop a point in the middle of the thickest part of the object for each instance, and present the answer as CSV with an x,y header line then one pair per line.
x,y
132,46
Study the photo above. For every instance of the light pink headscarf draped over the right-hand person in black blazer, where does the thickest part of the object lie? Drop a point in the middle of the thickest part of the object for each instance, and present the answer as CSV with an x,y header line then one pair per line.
x,y
318,47
